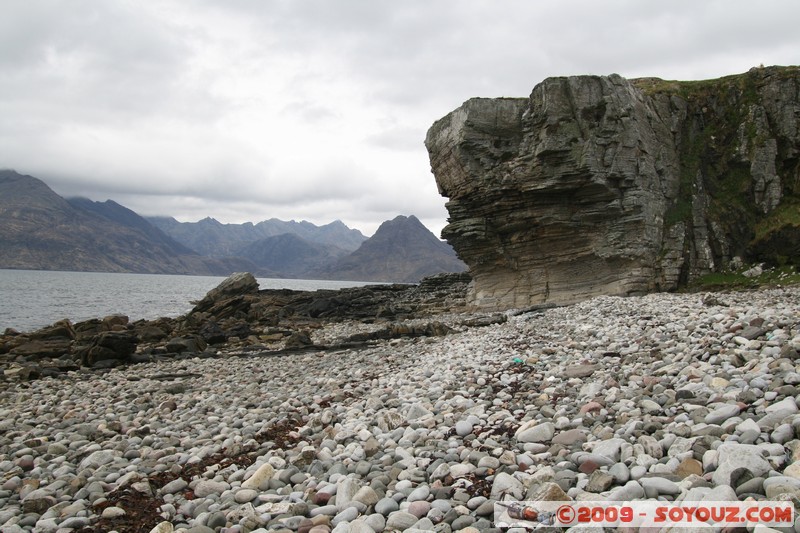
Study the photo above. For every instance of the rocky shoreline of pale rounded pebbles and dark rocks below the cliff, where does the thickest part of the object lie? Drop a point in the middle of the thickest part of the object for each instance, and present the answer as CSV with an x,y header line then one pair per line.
x,y
409,418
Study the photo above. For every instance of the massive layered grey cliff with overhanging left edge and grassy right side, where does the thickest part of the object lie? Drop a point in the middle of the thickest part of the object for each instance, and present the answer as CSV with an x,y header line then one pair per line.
x,y
602,185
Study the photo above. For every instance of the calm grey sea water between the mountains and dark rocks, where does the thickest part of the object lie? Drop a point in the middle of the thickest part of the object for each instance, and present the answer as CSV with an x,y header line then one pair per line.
x,y
31,299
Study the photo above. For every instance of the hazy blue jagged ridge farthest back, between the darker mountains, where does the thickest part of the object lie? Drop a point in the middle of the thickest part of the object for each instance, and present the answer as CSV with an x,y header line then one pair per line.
x,y
215,239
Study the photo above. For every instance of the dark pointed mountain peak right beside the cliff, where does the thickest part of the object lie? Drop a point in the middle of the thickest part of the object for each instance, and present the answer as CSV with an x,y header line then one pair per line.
x,y
402,250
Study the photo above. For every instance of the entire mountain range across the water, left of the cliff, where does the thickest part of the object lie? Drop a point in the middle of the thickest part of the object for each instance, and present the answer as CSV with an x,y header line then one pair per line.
x,y
40,230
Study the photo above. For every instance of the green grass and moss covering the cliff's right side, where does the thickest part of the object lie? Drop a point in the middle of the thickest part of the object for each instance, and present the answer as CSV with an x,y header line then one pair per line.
x,y
708,157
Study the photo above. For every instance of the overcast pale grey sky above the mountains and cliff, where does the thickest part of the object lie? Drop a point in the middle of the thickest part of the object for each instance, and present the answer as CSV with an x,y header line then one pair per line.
x,y
245,110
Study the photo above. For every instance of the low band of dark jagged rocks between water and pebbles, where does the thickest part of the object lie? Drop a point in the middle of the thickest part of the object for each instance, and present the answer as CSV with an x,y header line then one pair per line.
x,y
234,316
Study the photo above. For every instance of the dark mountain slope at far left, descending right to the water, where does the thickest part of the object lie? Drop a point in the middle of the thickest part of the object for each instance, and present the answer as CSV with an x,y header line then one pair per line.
x,y
40,230
